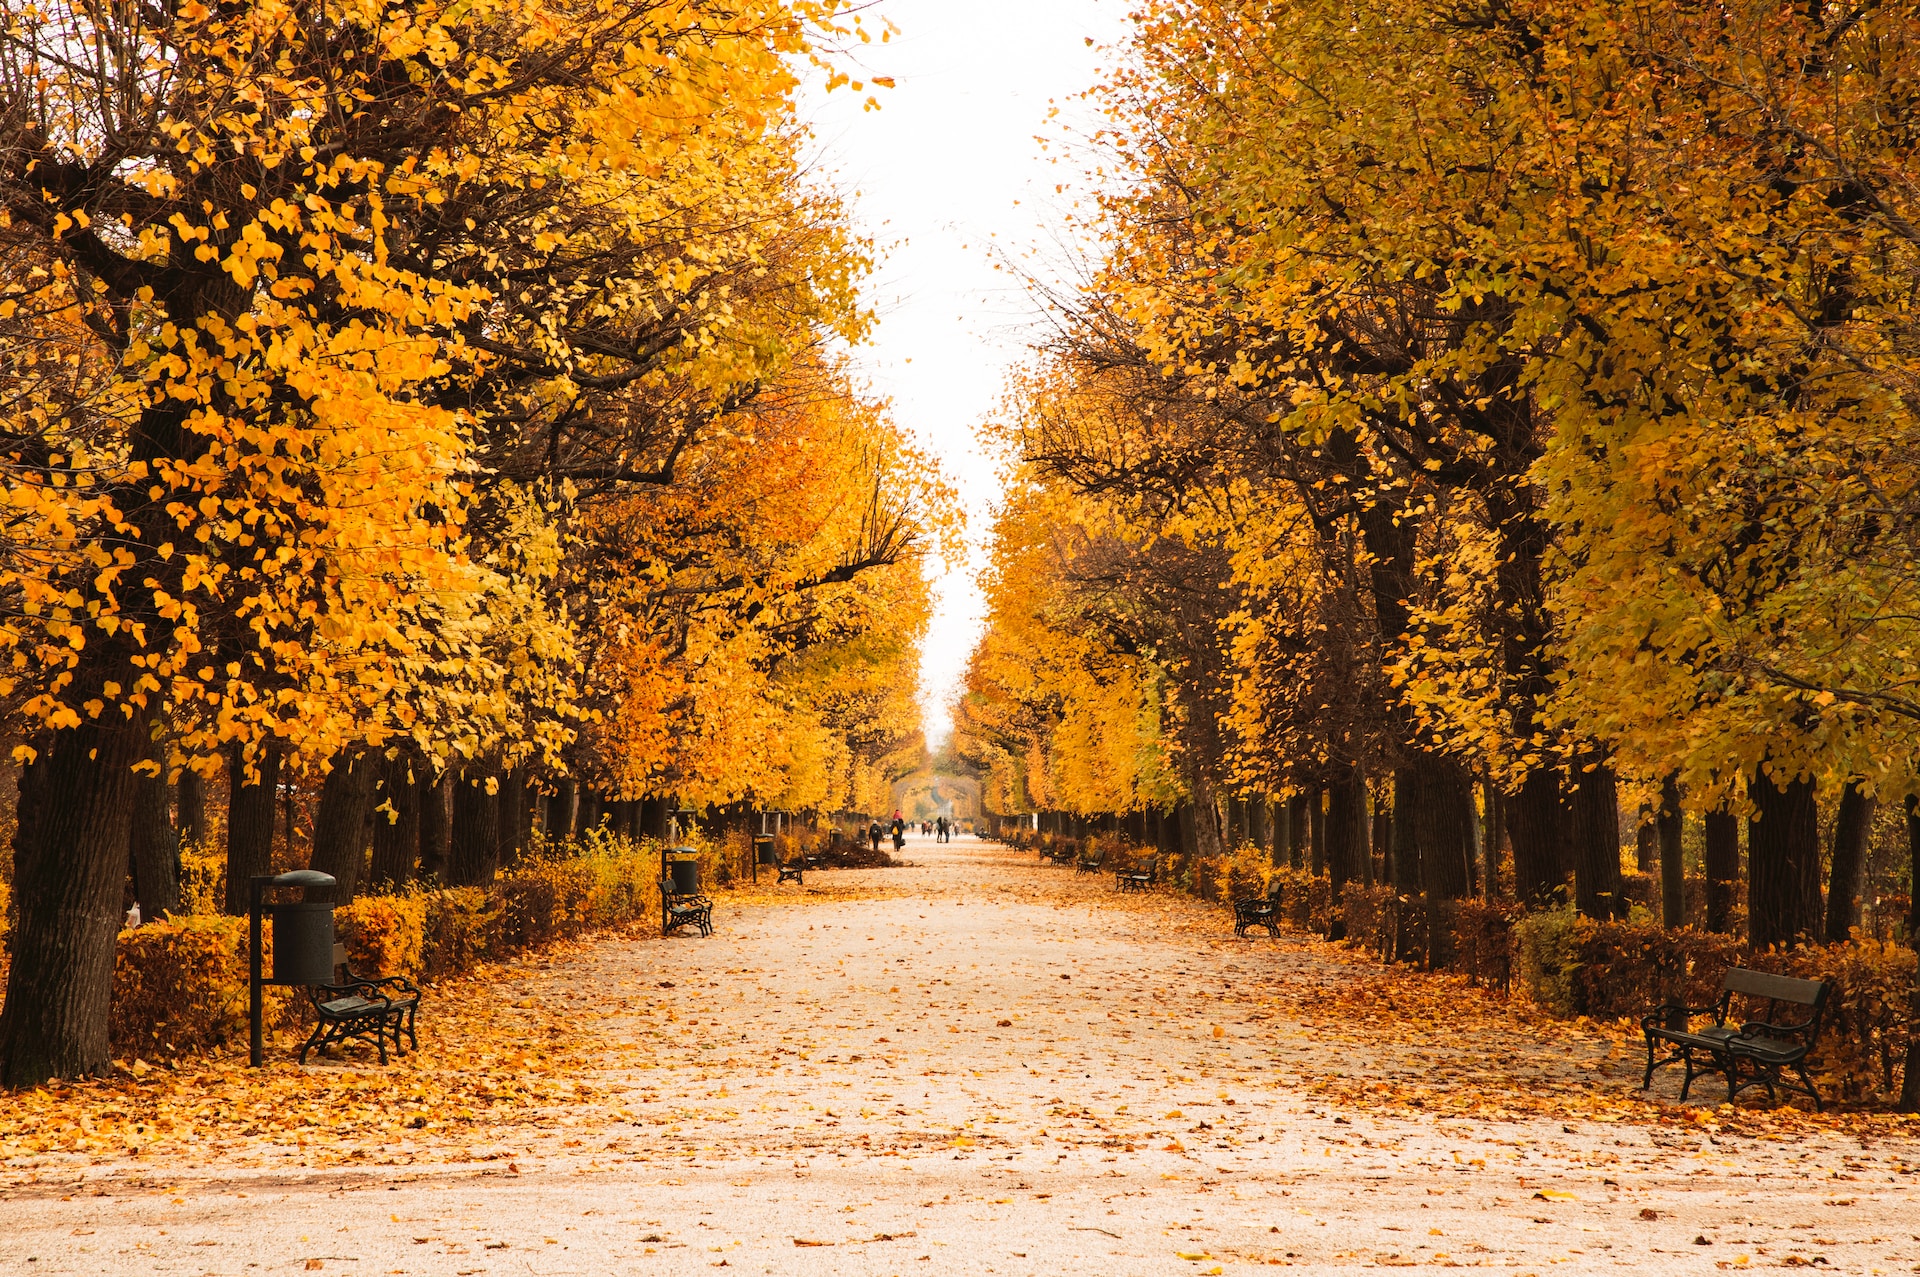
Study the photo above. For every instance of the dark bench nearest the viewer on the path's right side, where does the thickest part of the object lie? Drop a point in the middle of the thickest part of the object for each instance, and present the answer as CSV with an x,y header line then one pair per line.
x,y
1752,1055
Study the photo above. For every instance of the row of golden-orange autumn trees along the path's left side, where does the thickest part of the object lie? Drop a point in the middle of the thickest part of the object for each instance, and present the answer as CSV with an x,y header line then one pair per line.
x,y
418,398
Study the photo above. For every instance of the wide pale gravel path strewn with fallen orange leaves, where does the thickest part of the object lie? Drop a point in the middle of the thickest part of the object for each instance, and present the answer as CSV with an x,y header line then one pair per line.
x,y
974,1065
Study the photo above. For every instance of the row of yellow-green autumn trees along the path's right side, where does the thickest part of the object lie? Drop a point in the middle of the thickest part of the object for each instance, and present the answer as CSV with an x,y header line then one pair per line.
x,y
1510,393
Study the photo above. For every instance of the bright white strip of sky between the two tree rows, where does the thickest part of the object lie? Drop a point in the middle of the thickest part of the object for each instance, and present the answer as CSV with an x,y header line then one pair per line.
x,y
948,174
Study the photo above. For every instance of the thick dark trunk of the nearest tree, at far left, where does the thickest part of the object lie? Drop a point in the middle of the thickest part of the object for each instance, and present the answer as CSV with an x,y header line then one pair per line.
x,y
70,875
